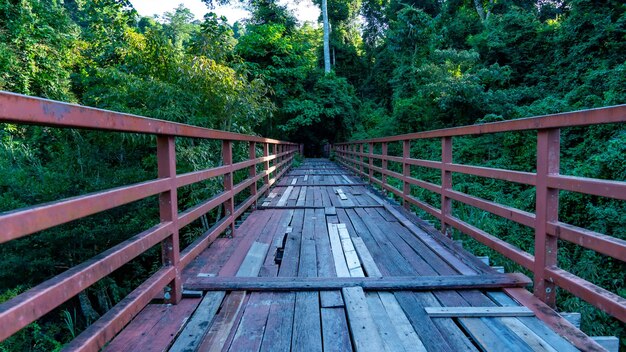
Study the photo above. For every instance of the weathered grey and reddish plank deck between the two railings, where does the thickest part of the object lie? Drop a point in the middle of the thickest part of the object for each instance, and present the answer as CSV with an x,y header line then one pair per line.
x,y
327,224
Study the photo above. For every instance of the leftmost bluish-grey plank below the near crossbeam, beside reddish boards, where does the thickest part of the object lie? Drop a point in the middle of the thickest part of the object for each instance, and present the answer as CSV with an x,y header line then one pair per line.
x,y
195,329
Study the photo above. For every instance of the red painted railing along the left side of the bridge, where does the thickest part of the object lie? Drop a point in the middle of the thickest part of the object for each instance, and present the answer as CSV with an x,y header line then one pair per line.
x,y
24,309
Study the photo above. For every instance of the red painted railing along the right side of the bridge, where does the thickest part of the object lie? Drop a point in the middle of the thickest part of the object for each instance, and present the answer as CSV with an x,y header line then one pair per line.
x,y
547,181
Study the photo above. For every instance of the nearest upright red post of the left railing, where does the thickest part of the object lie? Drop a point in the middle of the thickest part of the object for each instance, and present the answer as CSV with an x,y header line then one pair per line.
x,y
168,211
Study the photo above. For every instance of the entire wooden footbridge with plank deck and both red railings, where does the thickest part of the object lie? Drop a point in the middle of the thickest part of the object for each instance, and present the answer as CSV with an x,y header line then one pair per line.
x,y
315,258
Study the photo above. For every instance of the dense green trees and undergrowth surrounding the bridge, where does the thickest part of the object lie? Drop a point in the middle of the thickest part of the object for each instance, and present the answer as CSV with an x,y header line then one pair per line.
x,y
398,67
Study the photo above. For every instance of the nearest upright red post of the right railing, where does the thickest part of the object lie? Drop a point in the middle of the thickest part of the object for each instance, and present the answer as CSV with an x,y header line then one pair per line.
x,y
546,210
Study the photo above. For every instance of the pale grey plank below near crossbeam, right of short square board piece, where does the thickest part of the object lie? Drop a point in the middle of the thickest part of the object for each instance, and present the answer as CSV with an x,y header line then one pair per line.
x,y
362,327
